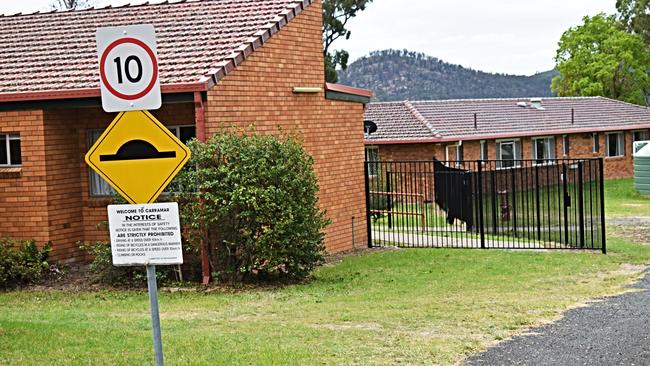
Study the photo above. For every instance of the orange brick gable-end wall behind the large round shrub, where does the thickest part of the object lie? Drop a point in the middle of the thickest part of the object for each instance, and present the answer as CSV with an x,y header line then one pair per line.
x,y
259,93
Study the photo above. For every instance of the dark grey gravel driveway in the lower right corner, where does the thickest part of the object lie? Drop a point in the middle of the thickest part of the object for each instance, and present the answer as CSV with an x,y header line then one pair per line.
x,y
615,331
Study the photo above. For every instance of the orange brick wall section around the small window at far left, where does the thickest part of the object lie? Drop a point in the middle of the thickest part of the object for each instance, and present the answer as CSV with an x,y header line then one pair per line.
x,y
23,191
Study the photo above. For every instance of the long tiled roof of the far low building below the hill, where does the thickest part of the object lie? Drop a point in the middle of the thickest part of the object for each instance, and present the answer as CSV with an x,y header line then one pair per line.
x,y
454,119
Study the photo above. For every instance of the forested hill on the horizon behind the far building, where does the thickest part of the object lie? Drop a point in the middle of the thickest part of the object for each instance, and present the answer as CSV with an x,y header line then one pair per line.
x,y
399,75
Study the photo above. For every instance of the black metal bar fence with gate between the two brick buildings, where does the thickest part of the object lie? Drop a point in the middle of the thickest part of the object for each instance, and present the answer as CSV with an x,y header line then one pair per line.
x,y
528,204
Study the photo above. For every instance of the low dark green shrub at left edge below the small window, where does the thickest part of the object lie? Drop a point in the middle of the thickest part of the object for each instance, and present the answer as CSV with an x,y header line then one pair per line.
x,y
21,262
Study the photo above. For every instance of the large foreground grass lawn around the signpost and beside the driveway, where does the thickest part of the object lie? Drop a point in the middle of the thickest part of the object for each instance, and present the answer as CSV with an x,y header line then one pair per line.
x,y
419,306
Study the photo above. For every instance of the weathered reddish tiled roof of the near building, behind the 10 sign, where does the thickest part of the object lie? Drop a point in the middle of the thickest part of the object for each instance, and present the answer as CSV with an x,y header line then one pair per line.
x,y
198,41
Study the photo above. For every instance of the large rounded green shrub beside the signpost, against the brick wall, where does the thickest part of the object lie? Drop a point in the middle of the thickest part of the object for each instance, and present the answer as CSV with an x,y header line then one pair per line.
x,y
255,199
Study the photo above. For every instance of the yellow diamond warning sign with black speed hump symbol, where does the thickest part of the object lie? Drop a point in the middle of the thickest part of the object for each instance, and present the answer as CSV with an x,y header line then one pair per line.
x,y
137,156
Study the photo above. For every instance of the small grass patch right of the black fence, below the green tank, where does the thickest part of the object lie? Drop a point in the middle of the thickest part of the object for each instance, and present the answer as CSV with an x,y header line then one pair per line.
x,y
621,199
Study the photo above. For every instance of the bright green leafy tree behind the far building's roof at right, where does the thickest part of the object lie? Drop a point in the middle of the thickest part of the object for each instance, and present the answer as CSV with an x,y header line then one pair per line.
x,y
600,58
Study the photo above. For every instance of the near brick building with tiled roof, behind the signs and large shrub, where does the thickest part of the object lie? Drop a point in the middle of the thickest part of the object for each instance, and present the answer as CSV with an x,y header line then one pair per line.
x,y
223,64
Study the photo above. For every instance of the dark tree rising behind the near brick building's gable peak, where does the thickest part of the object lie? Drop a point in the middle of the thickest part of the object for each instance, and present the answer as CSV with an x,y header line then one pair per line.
x,y
336,14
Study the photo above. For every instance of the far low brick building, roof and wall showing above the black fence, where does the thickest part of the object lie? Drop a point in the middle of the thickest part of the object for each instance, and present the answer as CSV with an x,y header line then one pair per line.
x,y
509,129
